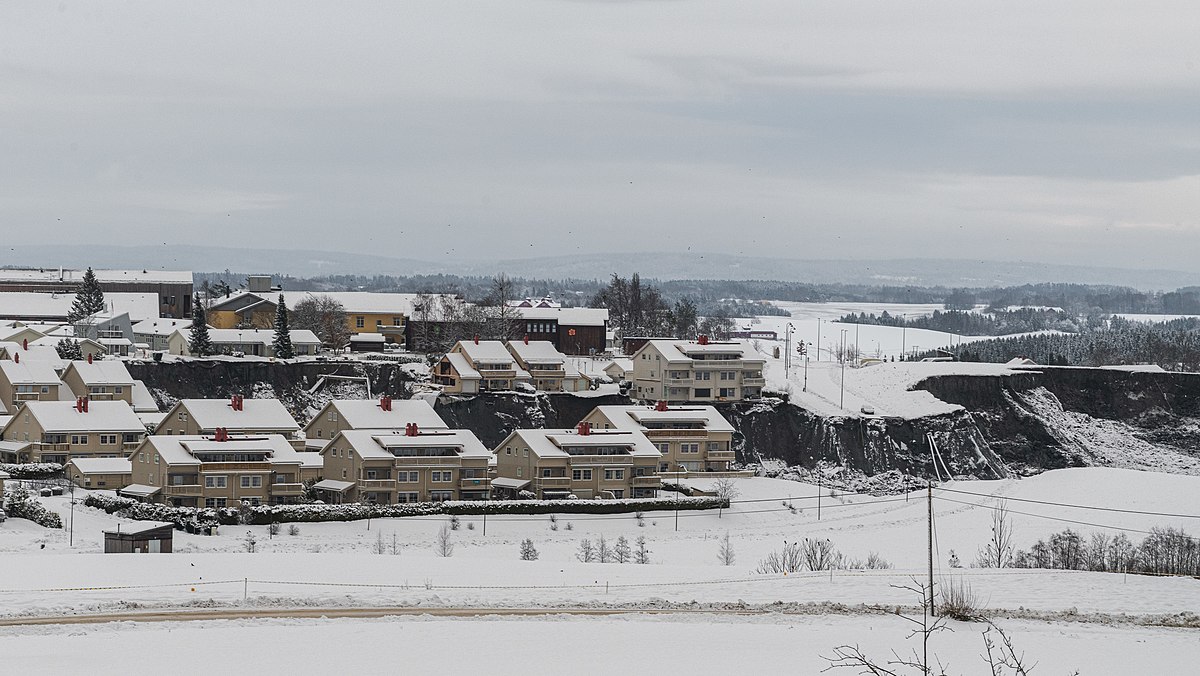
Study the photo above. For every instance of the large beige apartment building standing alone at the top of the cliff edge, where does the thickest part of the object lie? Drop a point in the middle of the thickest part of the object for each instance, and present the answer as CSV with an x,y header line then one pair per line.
x,y
701,370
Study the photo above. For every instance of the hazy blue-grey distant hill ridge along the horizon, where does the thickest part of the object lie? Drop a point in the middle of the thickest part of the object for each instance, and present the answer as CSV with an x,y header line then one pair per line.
x,y
955,273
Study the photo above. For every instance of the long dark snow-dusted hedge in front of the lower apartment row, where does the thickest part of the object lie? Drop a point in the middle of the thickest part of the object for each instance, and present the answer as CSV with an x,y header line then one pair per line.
x,y
263,515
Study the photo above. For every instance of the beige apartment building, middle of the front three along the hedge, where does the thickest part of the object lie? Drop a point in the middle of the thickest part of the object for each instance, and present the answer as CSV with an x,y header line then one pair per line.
x,y
411,465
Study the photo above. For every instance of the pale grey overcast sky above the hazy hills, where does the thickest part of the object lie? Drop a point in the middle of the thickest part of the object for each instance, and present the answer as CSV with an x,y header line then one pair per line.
x,y
1039,131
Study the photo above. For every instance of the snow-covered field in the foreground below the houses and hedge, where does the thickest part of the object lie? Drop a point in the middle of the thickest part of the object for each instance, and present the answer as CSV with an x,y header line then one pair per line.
x,y
1076,621
